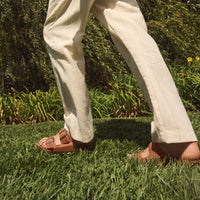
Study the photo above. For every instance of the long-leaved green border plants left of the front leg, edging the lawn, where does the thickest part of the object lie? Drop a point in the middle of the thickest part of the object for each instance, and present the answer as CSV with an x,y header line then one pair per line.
x,y
30,107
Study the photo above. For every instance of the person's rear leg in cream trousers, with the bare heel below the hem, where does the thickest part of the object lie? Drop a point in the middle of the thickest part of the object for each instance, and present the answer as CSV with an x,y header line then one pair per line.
x,y
171,124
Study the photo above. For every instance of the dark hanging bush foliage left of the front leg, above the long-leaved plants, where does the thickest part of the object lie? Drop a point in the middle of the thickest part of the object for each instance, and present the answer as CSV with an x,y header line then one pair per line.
x,y
24,62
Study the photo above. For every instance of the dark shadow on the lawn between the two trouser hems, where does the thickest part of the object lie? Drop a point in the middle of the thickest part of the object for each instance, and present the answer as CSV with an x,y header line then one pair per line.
x,y
124,129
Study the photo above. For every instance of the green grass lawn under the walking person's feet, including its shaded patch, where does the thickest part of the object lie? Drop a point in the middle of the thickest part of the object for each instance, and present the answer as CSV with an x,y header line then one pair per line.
x,y
105,173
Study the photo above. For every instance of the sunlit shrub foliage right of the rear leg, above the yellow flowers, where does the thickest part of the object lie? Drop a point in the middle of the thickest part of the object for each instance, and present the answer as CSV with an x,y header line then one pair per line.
x,y
175,25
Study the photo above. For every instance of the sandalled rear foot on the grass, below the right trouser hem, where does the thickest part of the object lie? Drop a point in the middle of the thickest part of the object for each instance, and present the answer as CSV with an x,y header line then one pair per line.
x,y
160,151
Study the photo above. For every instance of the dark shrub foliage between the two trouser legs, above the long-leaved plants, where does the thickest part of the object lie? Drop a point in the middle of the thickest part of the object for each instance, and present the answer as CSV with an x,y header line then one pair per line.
x,y
103,62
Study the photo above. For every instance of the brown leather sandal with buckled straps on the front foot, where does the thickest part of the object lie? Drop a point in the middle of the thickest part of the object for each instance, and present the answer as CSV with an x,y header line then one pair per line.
x,y
62,142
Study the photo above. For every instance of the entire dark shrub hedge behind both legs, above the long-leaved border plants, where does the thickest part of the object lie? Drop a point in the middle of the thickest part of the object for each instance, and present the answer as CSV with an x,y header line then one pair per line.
x,y
24,63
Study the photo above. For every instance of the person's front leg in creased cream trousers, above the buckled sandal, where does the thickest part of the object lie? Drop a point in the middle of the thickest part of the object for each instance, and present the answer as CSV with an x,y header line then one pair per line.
x,y
63,33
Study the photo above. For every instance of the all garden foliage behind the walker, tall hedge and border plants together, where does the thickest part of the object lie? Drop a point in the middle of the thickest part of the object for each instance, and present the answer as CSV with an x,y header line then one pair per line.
x,y
25,65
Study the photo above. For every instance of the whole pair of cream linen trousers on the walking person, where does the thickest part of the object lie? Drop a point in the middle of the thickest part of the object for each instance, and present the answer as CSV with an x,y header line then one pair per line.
x,y
63,33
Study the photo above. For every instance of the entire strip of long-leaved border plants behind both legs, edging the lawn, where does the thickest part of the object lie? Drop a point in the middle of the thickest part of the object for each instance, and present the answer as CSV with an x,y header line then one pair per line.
x,y
123,99
